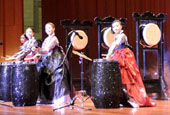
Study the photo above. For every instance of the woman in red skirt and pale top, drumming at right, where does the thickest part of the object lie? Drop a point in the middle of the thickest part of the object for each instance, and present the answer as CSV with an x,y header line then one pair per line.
x,y
133,86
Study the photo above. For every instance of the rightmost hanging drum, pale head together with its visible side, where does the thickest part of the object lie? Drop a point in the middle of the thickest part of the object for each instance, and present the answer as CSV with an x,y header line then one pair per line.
x,y
150,33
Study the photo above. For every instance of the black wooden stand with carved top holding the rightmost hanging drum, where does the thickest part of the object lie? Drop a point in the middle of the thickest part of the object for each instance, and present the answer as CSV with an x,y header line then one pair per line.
x,y
152,85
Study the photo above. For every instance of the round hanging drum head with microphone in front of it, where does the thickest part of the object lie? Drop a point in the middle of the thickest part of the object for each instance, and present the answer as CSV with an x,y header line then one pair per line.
x,y
77,42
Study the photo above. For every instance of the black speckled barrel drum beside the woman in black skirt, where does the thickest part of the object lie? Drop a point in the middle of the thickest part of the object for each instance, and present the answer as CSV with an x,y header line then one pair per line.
x,y
24,85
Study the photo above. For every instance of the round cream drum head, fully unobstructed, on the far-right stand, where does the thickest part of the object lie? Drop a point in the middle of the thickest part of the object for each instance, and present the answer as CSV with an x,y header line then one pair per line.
x,y
151,34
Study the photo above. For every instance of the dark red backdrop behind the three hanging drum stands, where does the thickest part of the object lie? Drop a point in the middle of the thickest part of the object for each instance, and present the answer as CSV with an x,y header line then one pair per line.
x,y
57,10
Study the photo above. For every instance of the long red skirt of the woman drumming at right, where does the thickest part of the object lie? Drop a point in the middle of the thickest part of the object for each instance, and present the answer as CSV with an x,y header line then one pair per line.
x,y
131,78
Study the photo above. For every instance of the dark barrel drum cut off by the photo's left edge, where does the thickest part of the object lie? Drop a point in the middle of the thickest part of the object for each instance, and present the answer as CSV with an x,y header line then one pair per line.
x,y
5,81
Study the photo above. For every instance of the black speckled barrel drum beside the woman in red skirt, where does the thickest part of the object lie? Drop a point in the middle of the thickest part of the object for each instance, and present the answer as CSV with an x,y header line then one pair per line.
x,y
106,83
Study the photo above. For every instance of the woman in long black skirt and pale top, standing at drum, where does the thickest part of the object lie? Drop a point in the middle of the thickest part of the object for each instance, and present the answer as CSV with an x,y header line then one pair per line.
x,y
54,76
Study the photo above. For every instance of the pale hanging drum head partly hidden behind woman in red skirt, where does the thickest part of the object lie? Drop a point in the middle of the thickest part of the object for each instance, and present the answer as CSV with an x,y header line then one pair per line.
x,y
108,36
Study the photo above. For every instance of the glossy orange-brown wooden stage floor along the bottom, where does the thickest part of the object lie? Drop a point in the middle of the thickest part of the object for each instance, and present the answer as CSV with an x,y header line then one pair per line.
x,y
162,108
